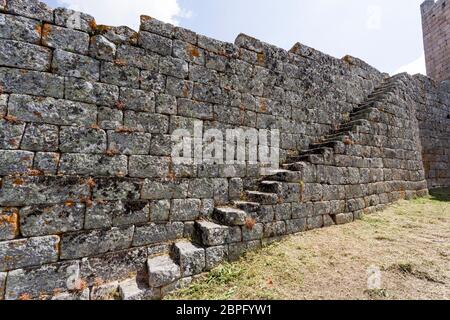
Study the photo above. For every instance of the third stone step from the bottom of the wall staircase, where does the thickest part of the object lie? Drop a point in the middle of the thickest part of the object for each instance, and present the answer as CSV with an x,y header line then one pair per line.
x,y
191,258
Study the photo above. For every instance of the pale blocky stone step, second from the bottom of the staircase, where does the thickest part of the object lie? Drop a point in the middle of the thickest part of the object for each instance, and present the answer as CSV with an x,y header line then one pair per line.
x,y
162,271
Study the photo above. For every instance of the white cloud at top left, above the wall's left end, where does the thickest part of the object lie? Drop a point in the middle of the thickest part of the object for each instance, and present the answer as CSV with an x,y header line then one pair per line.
x,y
120,12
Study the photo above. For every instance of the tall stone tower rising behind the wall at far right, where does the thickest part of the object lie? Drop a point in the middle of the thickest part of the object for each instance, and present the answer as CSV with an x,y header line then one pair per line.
x,y
436,34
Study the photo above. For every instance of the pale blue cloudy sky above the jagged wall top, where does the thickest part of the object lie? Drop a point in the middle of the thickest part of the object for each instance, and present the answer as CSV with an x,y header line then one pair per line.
x,y
385,33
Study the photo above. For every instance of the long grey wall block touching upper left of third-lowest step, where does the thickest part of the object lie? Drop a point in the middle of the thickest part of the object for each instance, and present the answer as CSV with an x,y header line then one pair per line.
x,y
155,233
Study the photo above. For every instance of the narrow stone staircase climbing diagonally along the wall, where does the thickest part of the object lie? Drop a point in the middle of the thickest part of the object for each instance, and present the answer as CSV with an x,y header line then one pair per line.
x,y
206,249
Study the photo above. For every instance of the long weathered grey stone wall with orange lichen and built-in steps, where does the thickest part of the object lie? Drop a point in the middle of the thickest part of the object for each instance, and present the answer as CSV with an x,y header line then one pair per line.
x,y
92,206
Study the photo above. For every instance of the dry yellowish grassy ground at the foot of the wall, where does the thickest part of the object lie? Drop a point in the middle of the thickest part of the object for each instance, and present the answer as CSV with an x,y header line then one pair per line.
x,y
407,244
